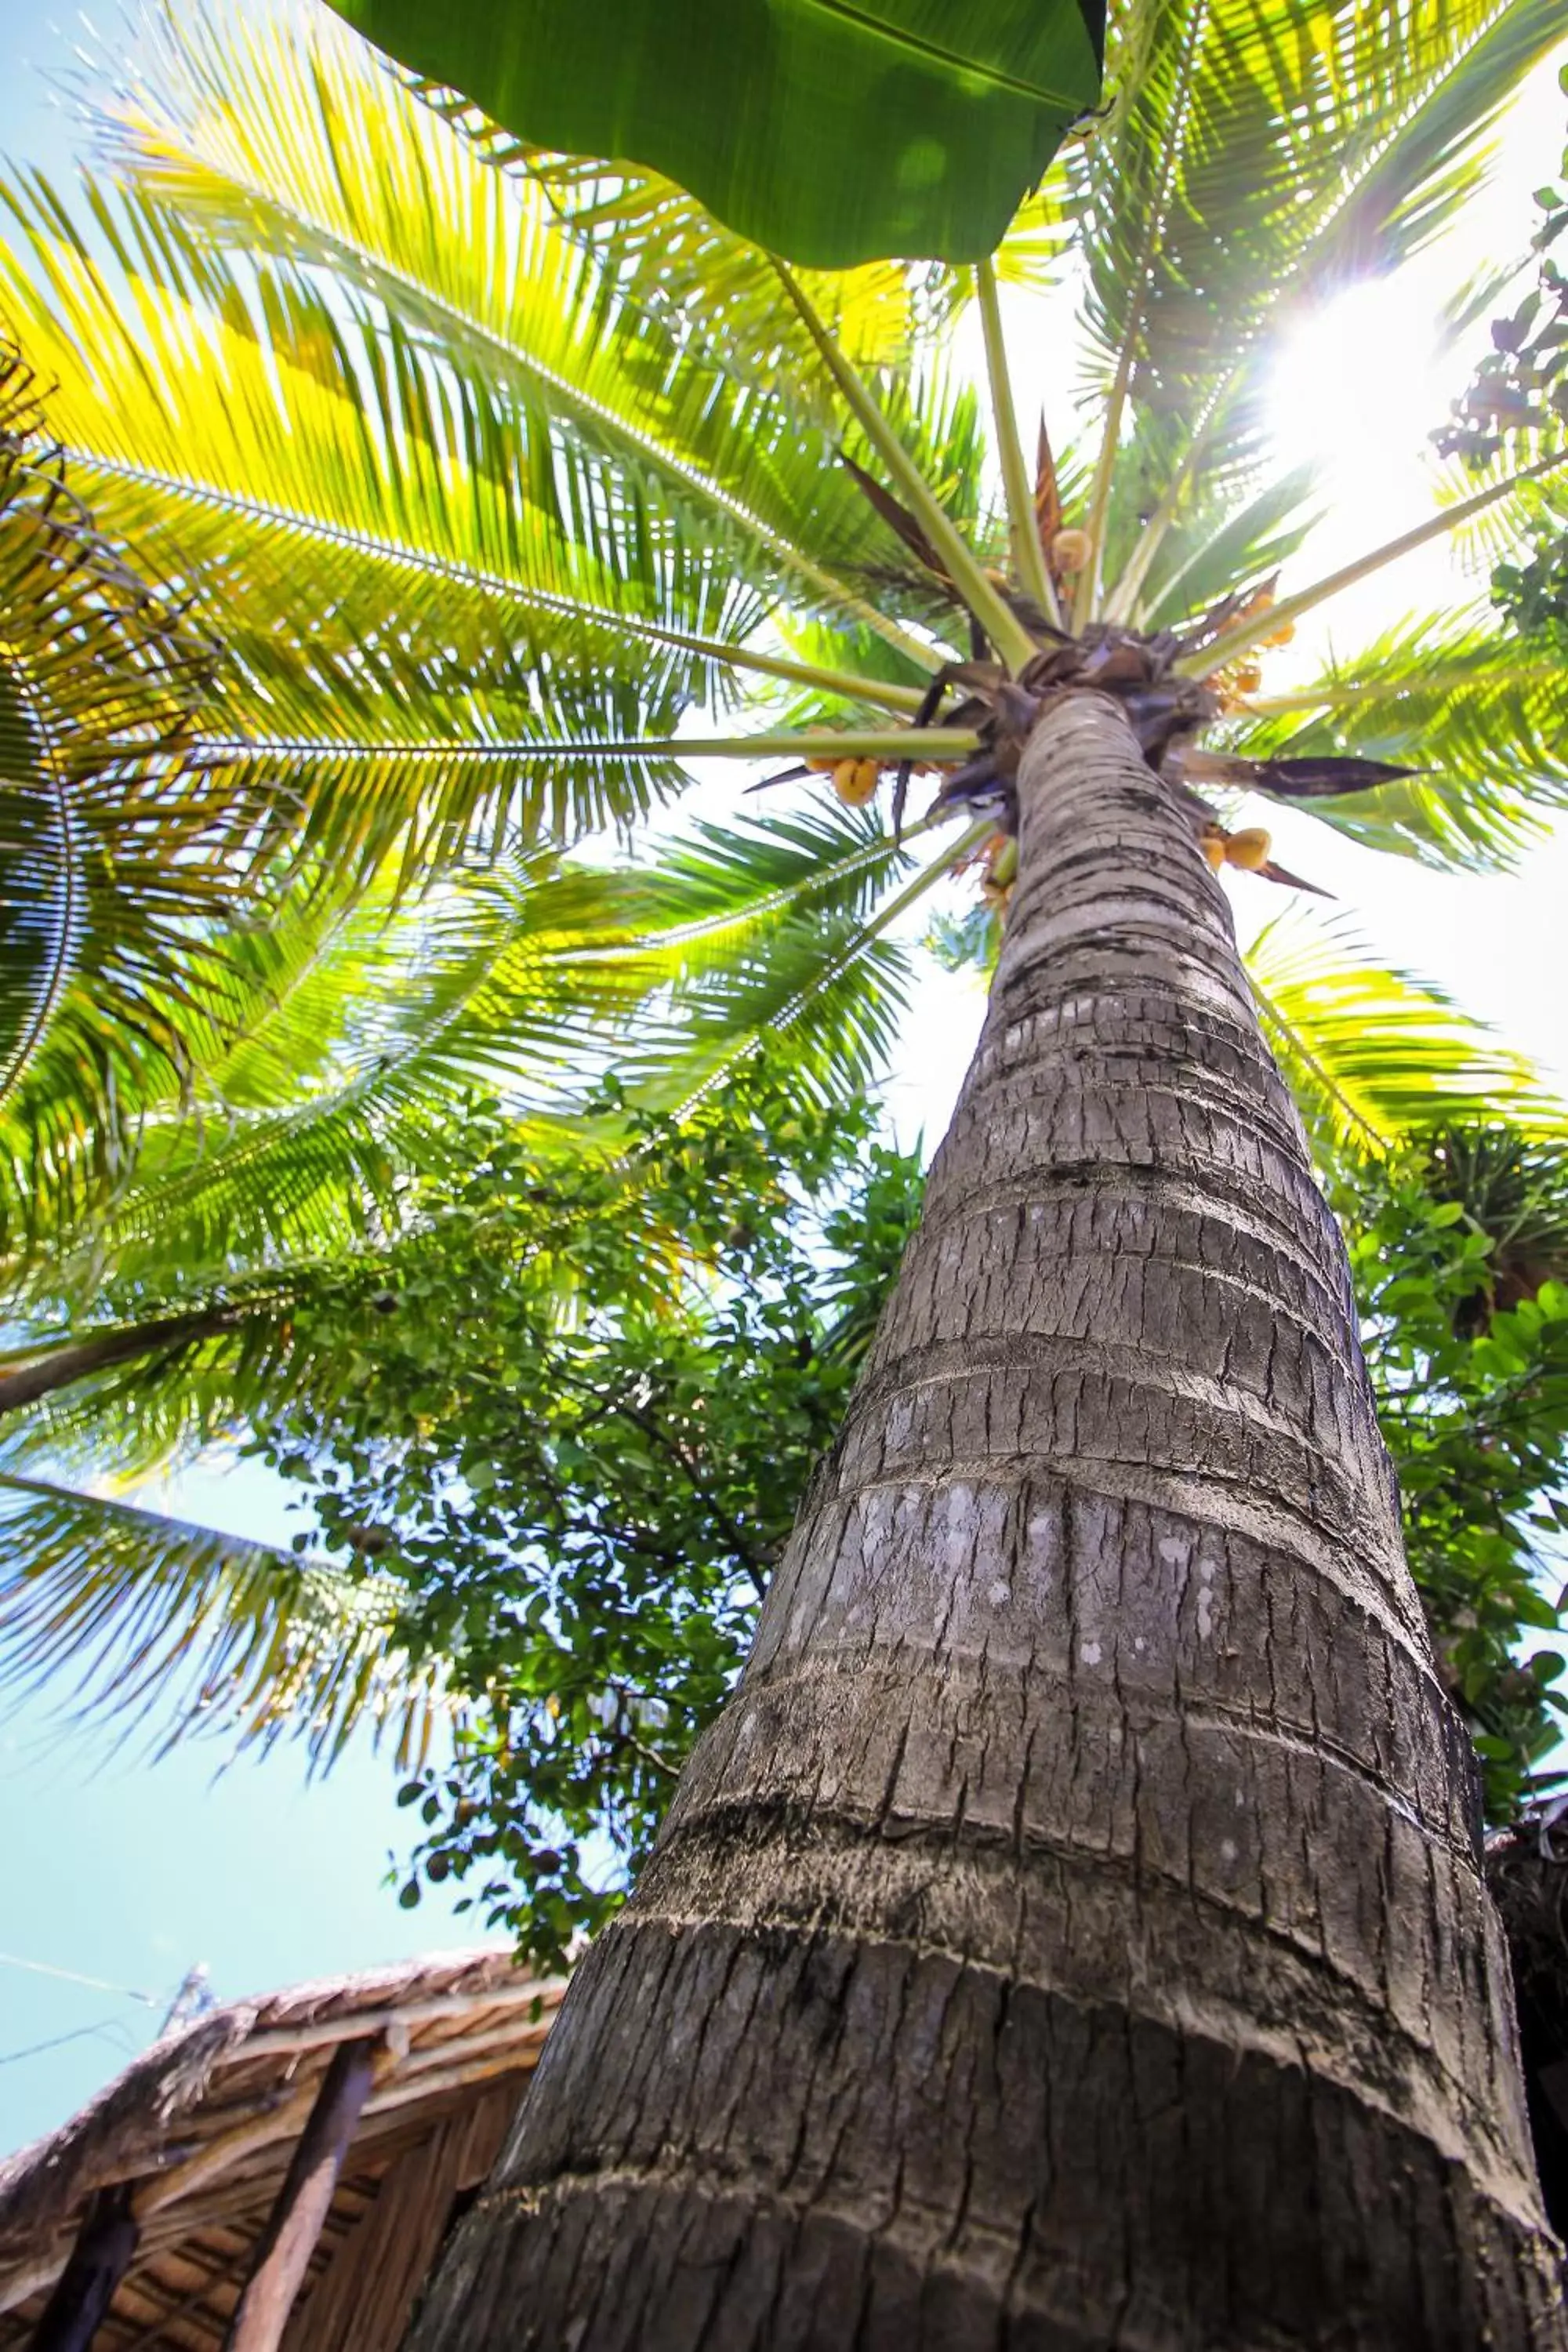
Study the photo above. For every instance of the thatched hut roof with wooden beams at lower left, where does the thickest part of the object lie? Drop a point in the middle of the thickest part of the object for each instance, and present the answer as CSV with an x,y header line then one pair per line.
x,y
201,2130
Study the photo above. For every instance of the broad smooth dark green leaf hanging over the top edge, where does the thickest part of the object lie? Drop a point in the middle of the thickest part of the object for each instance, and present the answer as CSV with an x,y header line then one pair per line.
x,y
826,133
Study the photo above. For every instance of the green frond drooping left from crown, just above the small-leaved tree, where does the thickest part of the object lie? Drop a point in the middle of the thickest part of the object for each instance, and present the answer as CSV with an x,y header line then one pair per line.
x,y
368,1029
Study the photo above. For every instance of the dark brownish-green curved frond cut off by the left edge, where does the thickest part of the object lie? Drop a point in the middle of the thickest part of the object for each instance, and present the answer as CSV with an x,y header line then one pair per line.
x,y
116,855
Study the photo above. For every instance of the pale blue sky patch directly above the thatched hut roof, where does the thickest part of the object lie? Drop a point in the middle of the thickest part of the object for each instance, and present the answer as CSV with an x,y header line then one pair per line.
x,y
133,1871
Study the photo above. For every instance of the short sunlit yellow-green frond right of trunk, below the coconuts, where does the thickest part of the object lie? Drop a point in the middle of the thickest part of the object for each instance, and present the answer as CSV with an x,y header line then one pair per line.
x,y
1376,1055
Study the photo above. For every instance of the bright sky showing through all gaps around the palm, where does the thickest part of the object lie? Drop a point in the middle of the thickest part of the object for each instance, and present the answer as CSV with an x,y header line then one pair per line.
x,y
128,1871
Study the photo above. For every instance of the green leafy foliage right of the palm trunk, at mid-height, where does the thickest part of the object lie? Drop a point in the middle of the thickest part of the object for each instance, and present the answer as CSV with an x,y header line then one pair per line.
x,y
1466,1335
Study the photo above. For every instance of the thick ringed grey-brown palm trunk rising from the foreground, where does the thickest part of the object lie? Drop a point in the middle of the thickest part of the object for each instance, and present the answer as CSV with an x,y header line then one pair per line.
x,y
1073,1930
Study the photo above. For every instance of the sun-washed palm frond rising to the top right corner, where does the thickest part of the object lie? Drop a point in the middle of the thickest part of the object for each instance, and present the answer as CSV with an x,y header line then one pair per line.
x,y
1261,152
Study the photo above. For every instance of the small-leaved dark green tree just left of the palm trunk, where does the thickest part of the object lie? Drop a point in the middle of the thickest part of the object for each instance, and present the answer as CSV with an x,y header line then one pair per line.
x,y
584,1509
